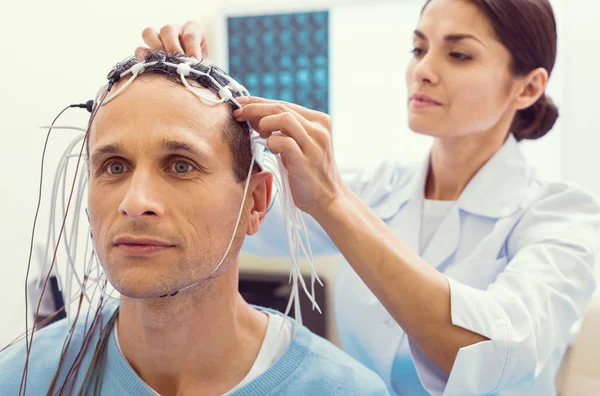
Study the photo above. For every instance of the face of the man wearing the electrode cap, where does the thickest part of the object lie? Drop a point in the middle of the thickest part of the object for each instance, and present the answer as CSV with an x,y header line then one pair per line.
x,y
163,198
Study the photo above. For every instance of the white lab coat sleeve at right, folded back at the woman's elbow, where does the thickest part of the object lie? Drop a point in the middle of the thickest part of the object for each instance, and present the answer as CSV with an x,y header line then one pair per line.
x,y
528,311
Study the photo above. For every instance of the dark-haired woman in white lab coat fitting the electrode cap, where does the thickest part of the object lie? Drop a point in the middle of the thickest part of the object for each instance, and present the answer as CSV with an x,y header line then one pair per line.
x,y
463,274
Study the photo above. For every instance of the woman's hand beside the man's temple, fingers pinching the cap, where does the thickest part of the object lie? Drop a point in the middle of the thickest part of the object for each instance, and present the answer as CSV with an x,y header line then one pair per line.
x,y
305,147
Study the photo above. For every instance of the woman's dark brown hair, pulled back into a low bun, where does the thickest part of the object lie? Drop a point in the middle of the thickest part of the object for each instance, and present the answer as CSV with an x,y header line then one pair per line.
x,y
527,28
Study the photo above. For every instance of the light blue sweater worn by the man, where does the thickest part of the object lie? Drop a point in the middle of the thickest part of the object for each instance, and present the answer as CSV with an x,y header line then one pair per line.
x,y
310,366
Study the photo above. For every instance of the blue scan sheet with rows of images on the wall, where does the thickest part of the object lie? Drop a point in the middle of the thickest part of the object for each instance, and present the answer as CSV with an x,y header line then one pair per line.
x,y
283,56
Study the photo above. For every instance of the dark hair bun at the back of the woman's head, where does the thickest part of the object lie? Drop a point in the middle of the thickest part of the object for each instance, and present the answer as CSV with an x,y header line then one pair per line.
x,y
535,121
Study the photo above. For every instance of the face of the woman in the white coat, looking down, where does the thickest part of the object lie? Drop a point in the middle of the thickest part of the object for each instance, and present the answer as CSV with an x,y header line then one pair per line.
x,y
459,80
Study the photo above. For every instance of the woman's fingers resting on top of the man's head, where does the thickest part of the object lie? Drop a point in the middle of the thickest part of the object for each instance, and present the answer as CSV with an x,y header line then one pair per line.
x,y
188,39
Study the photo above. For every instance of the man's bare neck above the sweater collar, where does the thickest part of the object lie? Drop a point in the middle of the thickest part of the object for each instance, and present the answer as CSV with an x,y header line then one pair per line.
x,y
206,337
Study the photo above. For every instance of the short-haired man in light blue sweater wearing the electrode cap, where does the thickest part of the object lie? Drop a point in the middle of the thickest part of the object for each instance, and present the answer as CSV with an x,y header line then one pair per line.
x,y
167,176
